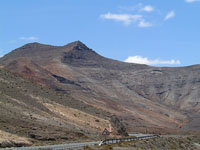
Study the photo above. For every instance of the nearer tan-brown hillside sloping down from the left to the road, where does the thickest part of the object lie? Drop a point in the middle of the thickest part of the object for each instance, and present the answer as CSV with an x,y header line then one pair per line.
x,y
31,114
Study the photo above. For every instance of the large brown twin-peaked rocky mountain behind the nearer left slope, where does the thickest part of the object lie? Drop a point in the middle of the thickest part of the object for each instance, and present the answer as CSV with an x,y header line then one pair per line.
x,y
143,98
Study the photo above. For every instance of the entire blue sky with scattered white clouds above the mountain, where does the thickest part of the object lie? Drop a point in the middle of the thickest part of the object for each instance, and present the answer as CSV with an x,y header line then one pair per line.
x,y
153,32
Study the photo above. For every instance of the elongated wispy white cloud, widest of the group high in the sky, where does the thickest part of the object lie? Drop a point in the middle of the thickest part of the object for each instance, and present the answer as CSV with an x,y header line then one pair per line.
x,y
127,19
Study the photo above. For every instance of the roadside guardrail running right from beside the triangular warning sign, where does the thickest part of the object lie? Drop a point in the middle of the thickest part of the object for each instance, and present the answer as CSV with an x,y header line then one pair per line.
x,y
111,141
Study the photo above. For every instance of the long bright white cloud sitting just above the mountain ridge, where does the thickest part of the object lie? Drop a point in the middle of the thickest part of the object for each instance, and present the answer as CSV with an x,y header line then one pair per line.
x,y
145,60
